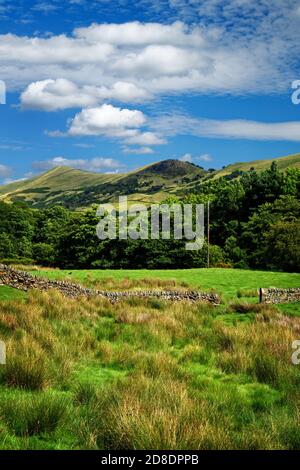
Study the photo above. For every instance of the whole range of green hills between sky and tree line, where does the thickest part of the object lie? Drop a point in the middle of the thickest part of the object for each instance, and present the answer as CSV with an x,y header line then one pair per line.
x,y
77,189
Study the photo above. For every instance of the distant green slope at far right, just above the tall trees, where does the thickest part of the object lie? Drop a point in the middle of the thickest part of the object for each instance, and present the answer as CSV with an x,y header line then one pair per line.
x,y
282,162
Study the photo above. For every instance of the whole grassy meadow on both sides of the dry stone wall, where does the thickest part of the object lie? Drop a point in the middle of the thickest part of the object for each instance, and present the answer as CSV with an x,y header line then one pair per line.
x,y
148,374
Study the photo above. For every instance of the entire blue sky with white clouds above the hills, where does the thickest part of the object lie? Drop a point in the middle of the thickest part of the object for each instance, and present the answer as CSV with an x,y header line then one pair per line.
x,y
109,86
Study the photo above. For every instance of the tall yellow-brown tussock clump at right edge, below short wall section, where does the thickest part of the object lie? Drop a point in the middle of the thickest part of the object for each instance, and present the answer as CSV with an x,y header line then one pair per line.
x,y
262,350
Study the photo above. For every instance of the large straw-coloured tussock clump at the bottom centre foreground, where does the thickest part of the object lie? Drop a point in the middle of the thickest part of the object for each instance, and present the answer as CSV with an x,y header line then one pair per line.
x,y
143,413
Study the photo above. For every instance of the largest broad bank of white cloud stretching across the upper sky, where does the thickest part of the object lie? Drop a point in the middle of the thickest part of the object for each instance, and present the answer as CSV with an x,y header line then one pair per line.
x,y
160,59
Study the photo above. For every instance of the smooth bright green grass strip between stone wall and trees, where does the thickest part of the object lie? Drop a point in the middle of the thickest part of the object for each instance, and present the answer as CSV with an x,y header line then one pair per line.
x,y
225,281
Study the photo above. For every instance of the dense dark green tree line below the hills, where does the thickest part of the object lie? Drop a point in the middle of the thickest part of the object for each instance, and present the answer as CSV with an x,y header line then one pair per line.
x,y
255,223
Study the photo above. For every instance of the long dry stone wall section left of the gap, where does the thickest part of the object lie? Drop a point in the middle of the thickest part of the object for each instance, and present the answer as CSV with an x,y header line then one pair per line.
x,y
24,281
